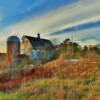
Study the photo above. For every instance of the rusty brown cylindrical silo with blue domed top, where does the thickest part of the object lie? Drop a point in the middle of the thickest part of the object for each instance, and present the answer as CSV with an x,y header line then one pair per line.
x,y
13,50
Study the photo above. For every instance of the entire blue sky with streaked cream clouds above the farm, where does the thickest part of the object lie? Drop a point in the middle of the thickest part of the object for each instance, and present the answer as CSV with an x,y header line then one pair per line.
x,y
53,19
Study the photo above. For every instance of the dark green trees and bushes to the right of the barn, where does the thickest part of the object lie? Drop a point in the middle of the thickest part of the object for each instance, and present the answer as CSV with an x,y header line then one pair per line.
x,y
72,50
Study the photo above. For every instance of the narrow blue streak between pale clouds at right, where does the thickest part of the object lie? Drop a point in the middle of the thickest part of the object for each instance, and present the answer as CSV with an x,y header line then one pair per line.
x,y
79,26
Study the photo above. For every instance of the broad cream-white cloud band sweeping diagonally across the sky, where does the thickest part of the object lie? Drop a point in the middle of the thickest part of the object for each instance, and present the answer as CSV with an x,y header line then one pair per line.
x,y
58,19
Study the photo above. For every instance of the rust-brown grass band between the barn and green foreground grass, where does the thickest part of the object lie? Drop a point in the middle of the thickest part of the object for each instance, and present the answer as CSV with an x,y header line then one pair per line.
x,y
60,68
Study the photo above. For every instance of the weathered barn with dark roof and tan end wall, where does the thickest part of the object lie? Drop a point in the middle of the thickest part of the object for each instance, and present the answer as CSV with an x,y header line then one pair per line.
x,y
36,47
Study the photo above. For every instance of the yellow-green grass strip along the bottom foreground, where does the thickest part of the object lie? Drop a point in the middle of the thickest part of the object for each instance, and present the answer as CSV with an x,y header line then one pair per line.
x,y
56,89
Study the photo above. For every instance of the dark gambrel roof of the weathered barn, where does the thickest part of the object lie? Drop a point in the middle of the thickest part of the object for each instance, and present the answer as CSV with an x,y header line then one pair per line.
x,y
39,43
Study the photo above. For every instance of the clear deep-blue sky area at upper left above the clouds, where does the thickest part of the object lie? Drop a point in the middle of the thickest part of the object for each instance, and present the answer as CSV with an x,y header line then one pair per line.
x,y
13,11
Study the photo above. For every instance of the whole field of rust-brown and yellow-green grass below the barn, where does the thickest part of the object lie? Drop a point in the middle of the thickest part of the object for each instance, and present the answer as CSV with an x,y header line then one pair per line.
x,y
57,80
